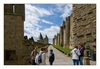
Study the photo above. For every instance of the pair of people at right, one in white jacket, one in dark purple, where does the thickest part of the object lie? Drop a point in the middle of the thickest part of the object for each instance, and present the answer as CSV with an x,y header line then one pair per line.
x,y
78,54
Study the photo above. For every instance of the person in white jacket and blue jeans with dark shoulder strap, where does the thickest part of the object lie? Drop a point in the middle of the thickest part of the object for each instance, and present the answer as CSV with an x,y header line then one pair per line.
x,y
75,55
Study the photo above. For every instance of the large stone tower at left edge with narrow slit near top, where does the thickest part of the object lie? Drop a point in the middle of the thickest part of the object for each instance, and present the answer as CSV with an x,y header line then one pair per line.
x,y
14,16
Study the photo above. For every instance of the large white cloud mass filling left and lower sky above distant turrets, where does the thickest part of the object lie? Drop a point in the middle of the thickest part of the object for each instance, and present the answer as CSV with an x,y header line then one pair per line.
x,y
31,24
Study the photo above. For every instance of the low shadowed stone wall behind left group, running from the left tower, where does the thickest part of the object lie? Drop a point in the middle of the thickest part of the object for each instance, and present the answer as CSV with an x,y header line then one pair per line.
x,y
28,47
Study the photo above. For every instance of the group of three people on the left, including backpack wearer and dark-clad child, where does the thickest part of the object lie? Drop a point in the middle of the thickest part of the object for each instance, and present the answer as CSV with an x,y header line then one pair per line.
x,y
39,58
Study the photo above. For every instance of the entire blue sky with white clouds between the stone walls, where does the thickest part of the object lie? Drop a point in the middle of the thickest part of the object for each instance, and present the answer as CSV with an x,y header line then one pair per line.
x,y
45,18
